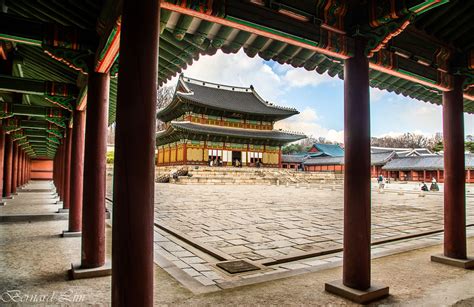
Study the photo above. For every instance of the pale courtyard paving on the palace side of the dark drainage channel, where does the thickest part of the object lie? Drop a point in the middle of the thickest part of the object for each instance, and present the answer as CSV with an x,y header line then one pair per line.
x,y
267,223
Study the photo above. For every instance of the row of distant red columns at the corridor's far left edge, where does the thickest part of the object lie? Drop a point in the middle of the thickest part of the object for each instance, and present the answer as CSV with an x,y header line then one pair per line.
x,y
14,166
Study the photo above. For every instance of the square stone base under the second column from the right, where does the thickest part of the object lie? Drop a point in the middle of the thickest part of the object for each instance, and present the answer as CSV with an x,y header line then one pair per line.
x,y
375,292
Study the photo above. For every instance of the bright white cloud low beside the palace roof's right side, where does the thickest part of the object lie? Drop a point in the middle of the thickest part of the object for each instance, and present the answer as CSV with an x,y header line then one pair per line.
x,y
307,122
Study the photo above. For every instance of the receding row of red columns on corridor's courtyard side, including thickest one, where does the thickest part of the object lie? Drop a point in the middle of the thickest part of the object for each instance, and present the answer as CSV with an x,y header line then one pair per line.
x,y
80,162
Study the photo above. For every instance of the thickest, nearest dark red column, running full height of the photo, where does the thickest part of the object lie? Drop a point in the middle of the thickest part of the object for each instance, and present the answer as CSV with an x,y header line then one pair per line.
x,y
134,170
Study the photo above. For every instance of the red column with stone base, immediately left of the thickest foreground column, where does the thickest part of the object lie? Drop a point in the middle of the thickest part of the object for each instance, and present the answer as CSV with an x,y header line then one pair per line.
x,y
93,210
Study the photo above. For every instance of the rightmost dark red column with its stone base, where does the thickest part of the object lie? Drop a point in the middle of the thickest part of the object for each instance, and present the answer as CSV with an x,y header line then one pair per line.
x,y
454,179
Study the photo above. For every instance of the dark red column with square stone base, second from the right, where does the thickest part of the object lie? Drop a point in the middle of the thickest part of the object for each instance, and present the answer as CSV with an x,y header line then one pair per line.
x,y
356,254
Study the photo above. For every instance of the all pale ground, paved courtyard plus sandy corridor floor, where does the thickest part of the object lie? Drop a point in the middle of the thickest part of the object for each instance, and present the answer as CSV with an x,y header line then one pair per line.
x,y
292,234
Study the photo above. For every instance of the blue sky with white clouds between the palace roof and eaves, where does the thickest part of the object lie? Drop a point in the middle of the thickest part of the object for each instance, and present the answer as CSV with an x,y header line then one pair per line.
x,y
273,81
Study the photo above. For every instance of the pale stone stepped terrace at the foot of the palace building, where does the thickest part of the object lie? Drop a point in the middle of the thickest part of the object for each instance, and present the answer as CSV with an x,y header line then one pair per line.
x,y
248,175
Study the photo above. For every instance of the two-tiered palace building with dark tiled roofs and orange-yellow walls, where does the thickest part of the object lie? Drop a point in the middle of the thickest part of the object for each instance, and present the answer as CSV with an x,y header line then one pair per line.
x,y
228,125
